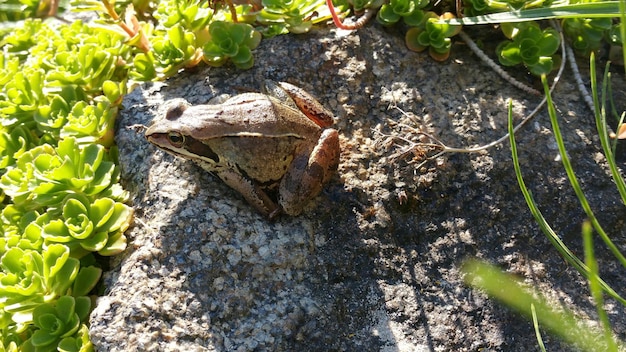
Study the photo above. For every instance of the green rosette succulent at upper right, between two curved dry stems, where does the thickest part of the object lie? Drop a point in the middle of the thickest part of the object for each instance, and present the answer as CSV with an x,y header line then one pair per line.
x,y
531,46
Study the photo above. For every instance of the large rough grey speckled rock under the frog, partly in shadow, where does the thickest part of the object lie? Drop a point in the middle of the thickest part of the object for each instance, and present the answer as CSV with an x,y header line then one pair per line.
x,y
373,264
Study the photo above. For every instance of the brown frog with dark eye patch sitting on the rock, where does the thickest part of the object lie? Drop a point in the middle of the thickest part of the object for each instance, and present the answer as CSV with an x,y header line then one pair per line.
x,y
276,148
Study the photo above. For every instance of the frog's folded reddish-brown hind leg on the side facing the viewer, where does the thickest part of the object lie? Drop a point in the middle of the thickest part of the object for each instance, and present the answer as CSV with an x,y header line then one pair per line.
x,y
308,172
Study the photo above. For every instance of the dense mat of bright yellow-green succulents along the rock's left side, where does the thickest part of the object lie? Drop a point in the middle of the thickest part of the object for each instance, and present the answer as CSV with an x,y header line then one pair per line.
x,y
60,87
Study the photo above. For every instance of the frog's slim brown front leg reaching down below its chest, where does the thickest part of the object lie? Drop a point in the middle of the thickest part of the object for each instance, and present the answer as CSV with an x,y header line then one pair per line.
x,y
250,191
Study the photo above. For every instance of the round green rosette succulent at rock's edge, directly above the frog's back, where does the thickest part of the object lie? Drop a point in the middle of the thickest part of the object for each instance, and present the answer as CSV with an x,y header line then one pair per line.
x,y
234,41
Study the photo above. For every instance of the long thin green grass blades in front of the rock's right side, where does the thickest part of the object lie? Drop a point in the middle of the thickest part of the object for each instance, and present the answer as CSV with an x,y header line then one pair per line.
x,y
544,315
